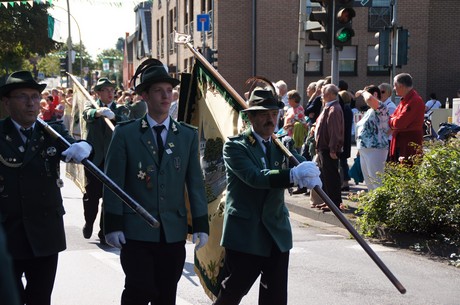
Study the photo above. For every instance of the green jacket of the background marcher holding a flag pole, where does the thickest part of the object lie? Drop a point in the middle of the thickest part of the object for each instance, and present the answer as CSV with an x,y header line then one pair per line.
x,y
98,132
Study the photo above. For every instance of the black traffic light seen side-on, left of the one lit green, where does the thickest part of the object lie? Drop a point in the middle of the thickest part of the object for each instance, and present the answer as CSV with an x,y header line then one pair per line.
x,y
324,17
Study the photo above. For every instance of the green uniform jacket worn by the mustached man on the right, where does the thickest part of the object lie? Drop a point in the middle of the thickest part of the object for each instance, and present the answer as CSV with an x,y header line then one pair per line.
x,y
255,214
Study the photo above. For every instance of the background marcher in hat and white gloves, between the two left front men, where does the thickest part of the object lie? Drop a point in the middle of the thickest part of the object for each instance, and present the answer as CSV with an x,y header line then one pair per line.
x,y
99,135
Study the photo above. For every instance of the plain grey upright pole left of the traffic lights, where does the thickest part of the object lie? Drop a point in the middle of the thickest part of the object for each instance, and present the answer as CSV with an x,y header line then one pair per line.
x,y
300,81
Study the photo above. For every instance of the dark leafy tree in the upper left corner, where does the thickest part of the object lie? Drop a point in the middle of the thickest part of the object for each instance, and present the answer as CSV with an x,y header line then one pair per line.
x,y
24,33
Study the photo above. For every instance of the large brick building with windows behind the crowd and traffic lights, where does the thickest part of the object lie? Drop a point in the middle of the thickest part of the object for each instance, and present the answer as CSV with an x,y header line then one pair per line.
x,y
256,37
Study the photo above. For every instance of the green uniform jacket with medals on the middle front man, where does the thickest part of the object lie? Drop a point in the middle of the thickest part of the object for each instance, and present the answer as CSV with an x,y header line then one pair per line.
x,y
132,163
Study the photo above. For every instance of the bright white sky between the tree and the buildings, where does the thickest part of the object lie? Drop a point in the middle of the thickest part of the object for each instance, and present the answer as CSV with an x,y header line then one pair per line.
x,y
101,22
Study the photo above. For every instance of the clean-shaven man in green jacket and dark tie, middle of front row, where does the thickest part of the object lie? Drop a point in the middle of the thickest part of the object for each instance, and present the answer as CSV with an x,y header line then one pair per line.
x,y
154,159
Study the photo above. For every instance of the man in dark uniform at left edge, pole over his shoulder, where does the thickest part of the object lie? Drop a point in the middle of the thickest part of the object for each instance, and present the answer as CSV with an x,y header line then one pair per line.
x,y
30,198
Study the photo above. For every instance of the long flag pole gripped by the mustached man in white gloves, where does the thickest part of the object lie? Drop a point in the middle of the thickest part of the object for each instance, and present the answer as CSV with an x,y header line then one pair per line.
x,y
185,40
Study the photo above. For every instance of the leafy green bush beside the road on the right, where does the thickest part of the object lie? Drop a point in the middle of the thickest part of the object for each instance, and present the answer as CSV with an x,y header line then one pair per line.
x,y
421,198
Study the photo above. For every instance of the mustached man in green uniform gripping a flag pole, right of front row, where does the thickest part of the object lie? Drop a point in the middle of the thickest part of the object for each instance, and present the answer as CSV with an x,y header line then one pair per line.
x,y
257,234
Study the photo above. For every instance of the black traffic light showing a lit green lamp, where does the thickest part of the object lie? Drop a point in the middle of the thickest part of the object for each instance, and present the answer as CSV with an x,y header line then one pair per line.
x,y
343,15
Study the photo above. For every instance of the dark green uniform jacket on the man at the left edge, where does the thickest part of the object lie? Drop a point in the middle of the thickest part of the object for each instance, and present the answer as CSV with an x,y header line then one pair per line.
x,y
31,207
